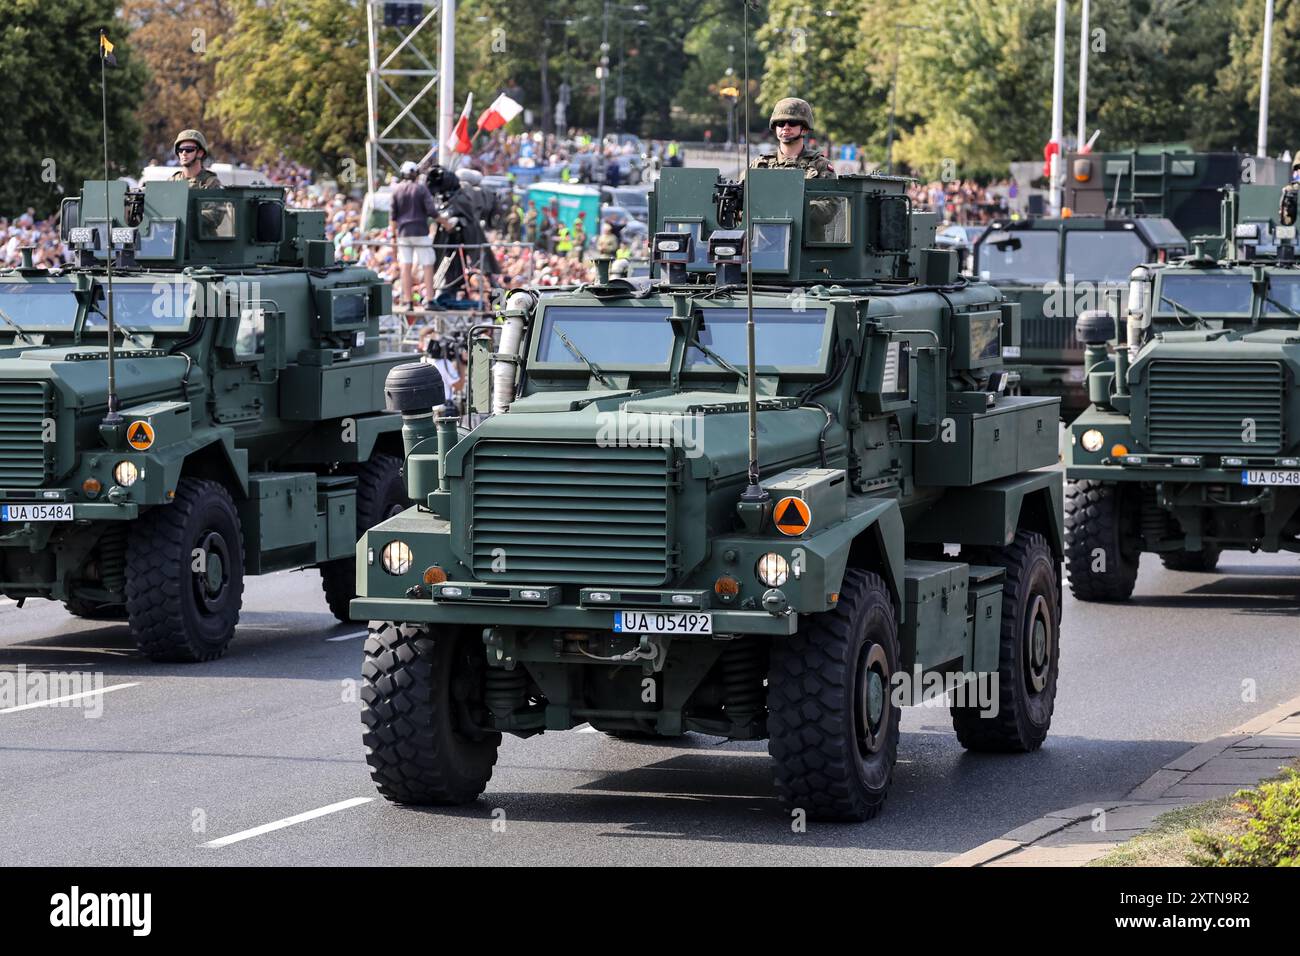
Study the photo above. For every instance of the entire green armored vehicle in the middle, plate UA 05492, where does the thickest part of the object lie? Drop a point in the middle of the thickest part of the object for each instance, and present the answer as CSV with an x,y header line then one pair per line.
x,y
619,547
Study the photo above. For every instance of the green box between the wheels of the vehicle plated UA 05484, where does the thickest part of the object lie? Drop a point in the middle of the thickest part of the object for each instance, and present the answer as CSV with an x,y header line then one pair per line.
x,y
279,521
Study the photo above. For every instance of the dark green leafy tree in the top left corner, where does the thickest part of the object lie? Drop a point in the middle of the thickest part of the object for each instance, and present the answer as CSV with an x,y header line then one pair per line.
x,y
50,101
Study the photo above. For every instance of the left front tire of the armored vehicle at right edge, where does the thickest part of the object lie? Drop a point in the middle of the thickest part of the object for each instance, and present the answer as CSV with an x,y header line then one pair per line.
x,y
1103,547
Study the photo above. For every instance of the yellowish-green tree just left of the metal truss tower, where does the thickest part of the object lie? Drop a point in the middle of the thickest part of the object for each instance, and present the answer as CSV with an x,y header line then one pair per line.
x,y
292,81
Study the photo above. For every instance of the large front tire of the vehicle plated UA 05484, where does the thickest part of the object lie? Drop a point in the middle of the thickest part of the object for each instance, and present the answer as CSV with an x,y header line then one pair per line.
x,y
185,576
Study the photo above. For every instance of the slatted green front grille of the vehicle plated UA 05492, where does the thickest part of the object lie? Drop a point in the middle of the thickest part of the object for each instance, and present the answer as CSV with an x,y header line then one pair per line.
x,y
569,513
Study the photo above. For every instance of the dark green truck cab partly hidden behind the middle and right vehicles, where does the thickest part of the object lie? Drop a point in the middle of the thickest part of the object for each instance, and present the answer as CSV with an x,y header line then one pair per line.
x,y
1056,270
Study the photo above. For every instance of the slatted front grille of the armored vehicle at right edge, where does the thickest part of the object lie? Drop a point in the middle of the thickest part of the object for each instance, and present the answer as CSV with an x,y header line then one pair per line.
x,y
1199,406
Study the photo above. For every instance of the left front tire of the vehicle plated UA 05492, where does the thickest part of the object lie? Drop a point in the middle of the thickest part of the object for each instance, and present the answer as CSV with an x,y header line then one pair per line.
x,y
423,712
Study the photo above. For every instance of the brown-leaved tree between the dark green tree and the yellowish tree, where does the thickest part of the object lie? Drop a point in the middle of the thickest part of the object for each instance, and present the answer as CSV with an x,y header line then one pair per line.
x,y
172,38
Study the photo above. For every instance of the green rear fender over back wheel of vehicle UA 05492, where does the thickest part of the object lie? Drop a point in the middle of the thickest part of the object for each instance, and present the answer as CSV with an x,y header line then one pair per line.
x,y
991,514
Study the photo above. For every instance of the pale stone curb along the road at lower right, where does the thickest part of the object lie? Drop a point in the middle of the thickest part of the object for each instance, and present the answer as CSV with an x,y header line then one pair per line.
x,y
1152,791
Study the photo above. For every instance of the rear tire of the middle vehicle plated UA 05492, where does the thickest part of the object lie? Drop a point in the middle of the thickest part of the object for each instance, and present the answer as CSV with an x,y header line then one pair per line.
x,y
1029,651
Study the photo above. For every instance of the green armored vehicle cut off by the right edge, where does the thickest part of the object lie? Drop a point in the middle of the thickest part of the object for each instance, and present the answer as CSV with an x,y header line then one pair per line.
x,y
1191,444
